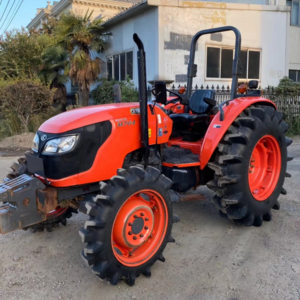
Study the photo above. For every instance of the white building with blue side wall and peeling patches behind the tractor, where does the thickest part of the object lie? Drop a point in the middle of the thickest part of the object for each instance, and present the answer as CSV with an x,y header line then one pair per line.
x,y
270,40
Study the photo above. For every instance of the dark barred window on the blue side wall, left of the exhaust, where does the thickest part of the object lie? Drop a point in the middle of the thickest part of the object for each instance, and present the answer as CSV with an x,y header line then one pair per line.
x,y
120,65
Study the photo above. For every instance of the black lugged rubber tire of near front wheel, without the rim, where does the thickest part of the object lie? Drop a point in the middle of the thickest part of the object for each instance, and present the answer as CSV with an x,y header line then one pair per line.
x,y
103,210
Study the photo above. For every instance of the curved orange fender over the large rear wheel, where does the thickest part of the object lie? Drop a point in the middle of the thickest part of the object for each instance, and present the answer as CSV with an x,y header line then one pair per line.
x,y
217,128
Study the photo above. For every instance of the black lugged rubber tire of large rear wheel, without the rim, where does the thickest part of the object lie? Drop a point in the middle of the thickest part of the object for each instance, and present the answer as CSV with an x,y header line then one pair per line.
x,y
231,166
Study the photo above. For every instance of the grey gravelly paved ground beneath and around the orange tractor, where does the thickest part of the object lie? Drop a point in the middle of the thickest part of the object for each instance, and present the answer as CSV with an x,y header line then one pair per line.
x,y
211,259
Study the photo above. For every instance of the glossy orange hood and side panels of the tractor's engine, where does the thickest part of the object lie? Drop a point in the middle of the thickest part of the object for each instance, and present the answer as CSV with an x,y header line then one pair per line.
x,y
123,139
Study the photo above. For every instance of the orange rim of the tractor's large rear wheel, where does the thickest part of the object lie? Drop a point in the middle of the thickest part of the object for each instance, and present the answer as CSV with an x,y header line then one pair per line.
x,y
264,168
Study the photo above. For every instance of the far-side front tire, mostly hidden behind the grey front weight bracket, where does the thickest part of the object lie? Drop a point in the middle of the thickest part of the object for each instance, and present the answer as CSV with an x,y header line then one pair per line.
x,y
21,168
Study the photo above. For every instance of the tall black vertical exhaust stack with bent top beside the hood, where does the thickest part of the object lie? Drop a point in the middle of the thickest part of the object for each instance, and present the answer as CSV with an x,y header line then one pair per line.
x,y
143,95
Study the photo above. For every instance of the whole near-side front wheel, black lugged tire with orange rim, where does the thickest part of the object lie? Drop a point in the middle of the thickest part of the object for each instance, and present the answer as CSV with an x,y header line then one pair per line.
x,y
130,224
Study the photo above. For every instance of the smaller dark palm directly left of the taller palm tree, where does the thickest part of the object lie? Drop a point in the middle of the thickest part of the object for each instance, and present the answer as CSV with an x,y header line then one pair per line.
x,y
55,61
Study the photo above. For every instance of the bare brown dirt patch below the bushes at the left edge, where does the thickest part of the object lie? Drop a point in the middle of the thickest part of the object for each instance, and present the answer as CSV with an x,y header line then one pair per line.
x,y
16,145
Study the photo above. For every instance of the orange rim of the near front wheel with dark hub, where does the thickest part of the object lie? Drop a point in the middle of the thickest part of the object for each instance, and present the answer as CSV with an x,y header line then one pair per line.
x,y
139,228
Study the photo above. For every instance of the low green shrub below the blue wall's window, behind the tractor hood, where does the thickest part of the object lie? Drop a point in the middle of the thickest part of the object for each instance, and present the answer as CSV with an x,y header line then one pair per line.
x,y
104,92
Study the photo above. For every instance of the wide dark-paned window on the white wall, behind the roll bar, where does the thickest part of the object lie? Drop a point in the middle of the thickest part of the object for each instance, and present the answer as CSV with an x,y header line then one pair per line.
x,y
219,63
